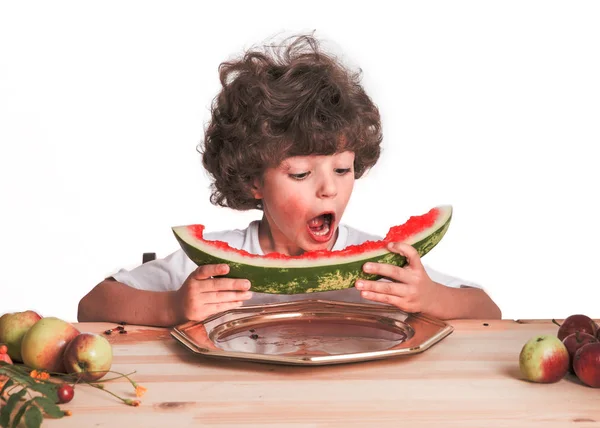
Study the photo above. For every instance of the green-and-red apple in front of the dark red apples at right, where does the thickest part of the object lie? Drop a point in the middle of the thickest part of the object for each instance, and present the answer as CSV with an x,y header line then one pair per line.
x,y
544,359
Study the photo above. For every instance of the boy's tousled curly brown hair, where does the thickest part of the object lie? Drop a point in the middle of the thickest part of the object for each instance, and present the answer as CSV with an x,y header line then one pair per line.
x,y
282,101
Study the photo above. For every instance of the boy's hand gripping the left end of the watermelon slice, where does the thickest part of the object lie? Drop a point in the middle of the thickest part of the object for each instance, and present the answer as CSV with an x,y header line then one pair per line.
x,y
201,295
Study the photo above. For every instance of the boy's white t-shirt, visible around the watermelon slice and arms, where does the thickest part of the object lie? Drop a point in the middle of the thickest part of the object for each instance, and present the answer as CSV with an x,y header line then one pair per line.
x,y
168,274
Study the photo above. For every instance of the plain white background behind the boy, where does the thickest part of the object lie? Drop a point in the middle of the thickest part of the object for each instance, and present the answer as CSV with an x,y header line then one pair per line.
x,y
493,107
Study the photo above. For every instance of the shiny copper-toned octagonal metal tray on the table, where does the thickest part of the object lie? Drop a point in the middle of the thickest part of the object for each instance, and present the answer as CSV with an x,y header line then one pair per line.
x,y
311,332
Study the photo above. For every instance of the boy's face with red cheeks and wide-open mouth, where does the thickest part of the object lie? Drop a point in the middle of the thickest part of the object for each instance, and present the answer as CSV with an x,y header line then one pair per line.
x,y
303,201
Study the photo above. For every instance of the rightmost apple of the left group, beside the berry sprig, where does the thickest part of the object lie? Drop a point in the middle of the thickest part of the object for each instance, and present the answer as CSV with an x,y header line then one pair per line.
x,y
89,356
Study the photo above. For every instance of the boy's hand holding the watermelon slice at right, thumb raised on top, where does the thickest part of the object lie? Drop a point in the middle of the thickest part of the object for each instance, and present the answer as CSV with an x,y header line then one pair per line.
x,y
411,288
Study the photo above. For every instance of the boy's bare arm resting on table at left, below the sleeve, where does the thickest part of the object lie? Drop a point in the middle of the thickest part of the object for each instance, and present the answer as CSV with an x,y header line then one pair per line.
x,y
113,301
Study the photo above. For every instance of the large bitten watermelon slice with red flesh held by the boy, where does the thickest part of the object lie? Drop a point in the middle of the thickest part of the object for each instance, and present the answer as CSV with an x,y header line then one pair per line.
x,y
315,270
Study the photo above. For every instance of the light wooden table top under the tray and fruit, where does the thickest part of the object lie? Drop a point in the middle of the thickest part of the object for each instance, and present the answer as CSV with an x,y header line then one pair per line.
x,y
469,379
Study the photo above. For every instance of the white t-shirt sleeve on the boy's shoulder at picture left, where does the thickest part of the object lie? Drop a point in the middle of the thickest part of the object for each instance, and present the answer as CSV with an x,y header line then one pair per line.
x,y
167,274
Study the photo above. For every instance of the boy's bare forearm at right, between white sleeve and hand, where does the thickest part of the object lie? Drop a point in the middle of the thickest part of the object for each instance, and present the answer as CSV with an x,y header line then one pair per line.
x,y
463,303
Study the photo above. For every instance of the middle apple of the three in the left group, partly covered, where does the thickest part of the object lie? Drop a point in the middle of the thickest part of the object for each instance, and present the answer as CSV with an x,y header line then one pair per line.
x,y
43,345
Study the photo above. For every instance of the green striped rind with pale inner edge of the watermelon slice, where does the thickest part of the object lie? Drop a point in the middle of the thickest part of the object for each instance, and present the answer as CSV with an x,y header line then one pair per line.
x,y
287,276
